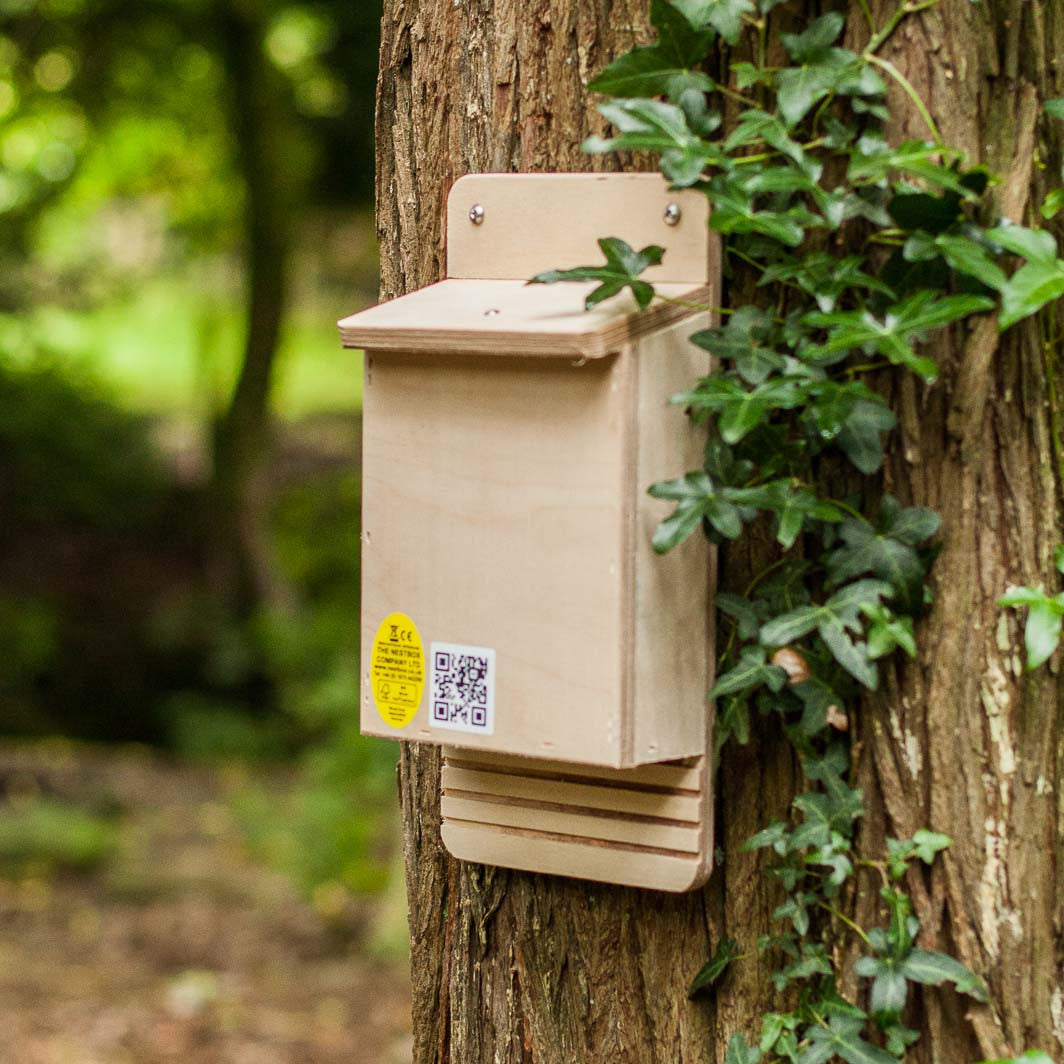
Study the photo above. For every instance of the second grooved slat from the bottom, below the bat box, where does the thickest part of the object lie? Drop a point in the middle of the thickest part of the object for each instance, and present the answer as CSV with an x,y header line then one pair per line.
x,y
664,837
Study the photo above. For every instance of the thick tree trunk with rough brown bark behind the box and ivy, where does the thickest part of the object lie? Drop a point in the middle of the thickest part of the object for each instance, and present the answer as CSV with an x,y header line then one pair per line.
x,y
514,968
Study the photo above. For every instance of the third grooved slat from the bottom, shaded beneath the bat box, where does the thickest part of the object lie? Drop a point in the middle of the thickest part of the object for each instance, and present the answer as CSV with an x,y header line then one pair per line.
x,y
614,800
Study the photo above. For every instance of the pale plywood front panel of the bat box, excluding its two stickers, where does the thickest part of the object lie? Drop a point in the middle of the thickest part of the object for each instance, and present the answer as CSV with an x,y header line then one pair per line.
x,y
493,493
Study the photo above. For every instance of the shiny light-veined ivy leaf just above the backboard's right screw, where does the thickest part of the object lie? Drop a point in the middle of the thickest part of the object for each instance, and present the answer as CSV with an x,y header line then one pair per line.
x,y
654,126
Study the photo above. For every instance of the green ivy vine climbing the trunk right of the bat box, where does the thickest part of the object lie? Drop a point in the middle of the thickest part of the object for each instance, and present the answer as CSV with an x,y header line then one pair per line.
x,y
806,169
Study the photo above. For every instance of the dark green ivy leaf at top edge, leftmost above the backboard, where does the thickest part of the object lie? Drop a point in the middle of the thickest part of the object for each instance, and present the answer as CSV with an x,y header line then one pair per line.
x,y
666,68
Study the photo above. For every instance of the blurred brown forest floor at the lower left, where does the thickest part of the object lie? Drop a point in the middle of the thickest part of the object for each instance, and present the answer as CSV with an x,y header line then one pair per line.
x,y
177,946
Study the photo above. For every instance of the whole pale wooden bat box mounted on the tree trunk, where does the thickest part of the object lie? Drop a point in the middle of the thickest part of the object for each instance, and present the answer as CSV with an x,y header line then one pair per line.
x,y
513,609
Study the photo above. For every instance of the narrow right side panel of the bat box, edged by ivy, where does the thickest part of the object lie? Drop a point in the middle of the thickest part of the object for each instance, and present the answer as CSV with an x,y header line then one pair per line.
x,y
673,657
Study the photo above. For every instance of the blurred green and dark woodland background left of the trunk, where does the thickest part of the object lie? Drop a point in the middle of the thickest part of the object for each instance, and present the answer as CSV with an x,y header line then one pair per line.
x,y
186,210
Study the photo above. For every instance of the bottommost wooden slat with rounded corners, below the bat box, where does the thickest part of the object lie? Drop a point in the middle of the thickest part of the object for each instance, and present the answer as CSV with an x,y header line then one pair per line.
x,y
603,863
